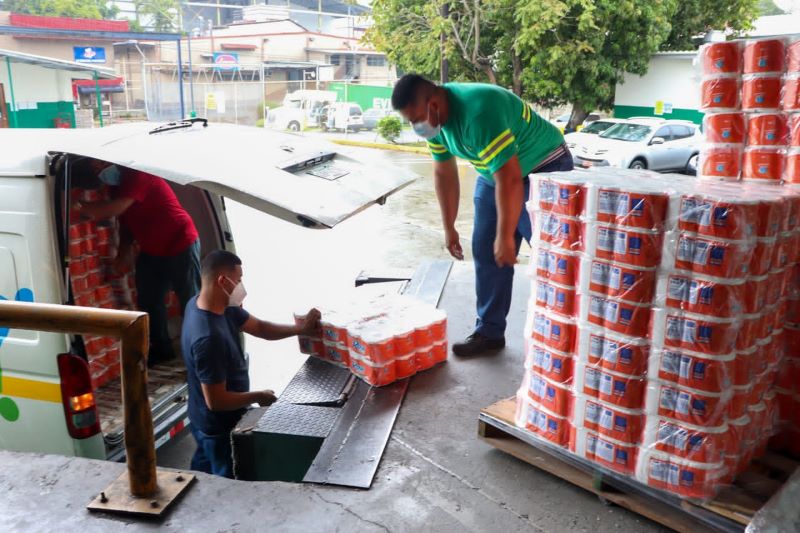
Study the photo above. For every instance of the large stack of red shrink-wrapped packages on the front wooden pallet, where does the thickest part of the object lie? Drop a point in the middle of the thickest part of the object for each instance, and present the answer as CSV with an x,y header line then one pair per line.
x,y
658,321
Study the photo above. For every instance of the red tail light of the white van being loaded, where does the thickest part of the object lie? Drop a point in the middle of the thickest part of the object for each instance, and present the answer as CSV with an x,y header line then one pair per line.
x,y
77,395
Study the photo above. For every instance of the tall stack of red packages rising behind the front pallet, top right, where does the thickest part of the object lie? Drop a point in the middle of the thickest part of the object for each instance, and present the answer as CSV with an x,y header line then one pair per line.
x,y
750,92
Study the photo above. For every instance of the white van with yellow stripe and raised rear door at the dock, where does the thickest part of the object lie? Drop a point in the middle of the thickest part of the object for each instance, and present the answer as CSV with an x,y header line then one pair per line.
x,y
42,374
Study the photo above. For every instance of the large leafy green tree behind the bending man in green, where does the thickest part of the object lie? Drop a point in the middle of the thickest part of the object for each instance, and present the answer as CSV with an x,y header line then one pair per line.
x,y
552,52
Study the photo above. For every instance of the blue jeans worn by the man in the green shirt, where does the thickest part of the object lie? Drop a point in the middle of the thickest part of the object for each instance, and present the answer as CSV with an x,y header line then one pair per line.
x,y
493,285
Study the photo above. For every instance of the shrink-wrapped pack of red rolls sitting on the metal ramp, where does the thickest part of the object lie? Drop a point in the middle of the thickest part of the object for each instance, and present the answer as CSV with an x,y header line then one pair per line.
x,y
380,339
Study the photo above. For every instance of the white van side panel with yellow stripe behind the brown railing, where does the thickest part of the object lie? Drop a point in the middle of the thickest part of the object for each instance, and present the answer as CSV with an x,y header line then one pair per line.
x,y
31,412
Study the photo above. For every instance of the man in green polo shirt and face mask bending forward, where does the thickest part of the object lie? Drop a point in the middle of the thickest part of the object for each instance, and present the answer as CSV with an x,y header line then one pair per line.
x,y
505,141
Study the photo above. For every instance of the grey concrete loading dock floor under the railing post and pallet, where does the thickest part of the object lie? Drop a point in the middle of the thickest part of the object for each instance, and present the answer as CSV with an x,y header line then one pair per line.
x,y
435,475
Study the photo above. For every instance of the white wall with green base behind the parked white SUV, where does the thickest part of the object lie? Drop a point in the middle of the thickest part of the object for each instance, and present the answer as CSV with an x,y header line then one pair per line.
x,y
671,79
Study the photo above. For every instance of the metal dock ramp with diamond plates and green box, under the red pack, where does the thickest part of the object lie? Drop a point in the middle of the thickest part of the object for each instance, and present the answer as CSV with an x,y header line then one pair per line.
x,y
328,426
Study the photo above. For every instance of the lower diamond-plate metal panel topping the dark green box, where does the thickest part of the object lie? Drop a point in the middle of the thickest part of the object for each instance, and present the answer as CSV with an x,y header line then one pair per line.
x,y
302,420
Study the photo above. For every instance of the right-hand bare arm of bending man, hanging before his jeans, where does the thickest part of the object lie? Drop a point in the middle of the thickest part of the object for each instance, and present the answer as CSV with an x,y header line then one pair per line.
x,y
509,195
